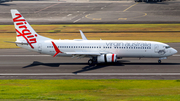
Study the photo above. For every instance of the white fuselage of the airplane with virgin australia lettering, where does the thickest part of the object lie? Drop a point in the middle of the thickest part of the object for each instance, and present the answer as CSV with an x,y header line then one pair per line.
x,y
127,48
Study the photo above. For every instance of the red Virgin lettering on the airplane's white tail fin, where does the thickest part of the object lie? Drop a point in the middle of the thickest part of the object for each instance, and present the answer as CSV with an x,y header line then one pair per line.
x,y
26,33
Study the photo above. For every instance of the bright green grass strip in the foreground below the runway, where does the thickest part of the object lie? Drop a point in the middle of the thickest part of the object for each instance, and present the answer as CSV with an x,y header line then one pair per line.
x,y
90,90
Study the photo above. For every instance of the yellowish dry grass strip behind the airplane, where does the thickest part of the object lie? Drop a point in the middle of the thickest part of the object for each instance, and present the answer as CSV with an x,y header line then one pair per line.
x,y
153,32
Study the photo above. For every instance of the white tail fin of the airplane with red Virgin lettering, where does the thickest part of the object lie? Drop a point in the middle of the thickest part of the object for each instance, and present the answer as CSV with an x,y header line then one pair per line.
x,y
25,33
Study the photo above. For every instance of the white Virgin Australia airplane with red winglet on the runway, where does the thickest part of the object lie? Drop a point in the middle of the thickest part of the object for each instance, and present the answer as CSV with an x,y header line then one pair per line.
x,y
99,51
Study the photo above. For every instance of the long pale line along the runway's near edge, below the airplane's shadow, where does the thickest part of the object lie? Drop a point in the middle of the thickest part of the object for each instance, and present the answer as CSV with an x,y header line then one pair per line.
x,y
88,74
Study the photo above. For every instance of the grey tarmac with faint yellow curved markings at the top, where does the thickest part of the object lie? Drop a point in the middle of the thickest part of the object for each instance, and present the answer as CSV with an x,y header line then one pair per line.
x,y
37,12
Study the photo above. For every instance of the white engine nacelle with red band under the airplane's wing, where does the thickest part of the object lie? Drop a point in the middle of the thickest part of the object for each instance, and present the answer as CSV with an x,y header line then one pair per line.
x,y
107,58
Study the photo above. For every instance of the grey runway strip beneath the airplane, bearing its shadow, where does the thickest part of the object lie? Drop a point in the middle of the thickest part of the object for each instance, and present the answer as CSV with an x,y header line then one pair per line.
x,y
24,64
